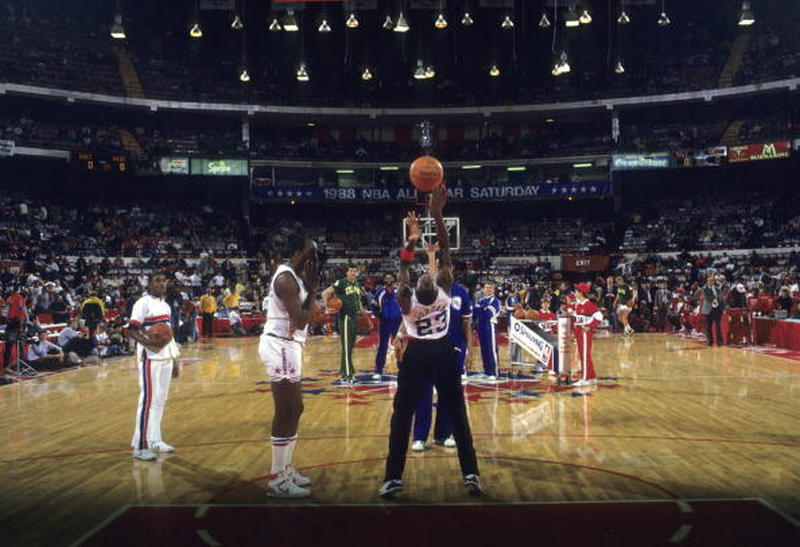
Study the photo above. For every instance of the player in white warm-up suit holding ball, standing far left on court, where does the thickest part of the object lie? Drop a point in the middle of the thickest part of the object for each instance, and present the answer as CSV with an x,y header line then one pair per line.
x,y
155,369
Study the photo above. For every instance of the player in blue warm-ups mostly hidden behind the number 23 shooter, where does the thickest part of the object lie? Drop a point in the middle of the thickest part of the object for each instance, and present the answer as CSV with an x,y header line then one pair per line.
x,y
460,333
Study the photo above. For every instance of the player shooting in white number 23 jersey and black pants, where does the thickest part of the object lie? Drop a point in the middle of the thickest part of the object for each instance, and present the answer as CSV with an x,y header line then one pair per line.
x,y
428,356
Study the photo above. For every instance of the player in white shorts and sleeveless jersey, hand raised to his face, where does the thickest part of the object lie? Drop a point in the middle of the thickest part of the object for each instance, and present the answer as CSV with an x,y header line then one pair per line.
x,y
291,302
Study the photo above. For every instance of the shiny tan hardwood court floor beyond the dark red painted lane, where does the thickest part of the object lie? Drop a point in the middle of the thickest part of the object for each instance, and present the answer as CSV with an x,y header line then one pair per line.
x,y
670,420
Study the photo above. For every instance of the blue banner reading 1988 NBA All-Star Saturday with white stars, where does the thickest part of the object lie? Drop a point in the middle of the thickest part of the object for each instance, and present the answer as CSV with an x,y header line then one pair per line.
x,y
469,193
